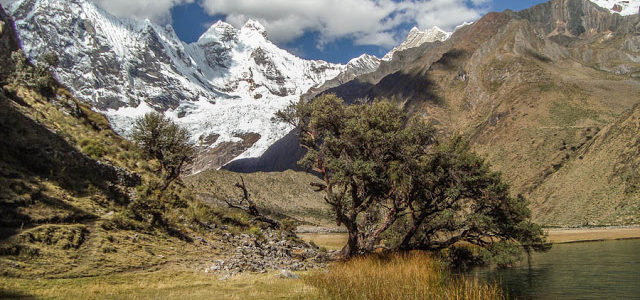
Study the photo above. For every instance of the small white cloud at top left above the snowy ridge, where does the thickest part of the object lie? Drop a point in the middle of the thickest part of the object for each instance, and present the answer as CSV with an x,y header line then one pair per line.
x,y
158,11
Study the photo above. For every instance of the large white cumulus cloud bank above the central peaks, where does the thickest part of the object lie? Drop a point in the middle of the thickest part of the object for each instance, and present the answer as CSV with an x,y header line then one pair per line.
x,y
366,22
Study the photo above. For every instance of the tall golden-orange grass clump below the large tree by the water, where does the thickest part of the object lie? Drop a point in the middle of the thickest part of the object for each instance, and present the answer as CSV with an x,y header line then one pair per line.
x,y
414,275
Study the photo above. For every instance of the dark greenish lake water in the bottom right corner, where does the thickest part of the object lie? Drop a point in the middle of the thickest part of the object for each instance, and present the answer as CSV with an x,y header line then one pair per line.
x,y
594,270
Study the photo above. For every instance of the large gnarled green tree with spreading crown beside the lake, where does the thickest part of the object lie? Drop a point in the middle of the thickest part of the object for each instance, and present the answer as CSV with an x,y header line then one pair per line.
x,y
388,178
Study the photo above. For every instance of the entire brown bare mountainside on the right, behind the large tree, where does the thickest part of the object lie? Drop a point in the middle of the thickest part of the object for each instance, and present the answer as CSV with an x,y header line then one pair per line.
x,y
536,91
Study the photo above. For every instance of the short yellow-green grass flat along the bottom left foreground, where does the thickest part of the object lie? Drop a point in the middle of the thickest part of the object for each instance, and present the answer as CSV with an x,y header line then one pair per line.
x,y
164,284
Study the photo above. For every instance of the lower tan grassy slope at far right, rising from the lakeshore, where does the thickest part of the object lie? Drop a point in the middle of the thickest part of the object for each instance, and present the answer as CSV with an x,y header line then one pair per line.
x,y
601,179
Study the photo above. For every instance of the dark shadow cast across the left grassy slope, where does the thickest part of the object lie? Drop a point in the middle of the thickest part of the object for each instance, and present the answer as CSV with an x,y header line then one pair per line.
x,y
29,153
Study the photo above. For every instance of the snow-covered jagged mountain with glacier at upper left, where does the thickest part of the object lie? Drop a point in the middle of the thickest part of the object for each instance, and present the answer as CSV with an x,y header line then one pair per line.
x,y
224,88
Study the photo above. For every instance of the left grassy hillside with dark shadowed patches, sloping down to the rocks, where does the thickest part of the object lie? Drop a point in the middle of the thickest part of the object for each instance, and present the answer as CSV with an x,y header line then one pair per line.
x,y
77,200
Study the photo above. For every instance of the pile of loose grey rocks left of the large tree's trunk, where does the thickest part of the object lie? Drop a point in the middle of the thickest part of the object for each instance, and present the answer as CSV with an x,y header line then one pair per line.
x,y
271,250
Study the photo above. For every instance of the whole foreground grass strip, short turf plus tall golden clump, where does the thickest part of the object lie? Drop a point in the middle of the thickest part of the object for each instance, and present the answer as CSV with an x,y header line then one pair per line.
x,y
401,276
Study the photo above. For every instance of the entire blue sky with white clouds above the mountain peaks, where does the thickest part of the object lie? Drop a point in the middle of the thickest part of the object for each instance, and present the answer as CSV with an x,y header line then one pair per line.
x,y
331,30
